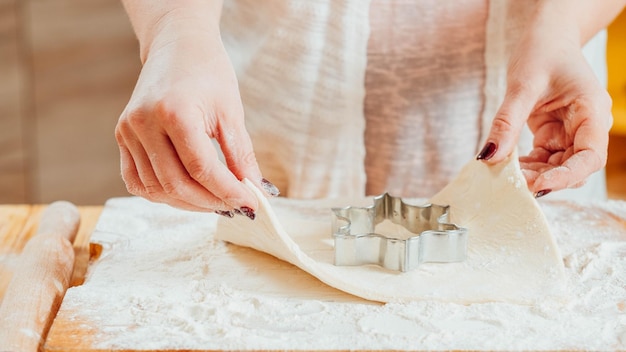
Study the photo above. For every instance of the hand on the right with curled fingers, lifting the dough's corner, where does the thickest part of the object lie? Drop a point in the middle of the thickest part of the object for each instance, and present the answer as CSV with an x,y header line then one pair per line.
x,y
551,87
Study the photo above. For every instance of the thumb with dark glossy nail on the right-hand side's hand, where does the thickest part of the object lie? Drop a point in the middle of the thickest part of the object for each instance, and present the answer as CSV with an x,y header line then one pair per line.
x,y
507,124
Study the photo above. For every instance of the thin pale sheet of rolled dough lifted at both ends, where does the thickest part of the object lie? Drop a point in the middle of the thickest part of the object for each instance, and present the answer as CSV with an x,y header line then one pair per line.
x,y
512,255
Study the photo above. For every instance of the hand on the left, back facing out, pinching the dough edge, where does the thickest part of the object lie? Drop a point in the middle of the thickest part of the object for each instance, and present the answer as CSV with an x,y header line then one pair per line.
x,y
186,95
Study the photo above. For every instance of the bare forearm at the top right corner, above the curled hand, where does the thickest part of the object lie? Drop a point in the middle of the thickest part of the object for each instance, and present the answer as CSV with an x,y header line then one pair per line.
x,y
581,18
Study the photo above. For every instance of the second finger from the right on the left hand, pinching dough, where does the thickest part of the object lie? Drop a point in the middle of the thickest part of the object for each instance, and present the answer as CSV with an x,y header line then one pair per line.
x,y
200,159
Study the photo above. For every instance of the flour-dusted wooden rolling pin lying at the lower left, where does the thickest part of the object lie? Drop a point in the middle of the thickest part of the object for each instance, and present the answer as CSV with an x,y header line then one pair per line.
x,y
40,279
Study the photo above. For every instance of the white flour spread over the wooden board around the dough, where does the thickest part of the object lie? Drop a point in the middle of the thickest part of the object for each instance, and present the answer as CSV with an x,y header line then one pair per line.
x,y
163,282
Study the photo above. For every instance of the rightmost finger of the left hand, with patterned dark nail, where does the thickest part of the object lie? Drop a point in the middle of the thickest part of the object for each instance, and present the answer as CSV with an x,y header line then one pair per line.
x,y
239,153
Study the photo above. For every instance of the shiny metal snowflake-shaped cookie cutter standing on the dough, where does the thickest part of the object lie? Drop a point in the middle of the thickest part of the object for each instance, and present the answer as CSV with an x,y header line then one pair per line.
x,y
435,239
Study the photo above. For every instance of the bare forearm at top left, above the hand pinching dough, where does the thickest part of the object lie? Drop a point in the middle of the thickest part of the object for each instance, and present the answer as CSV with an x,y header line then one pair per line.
x,y
157,23
